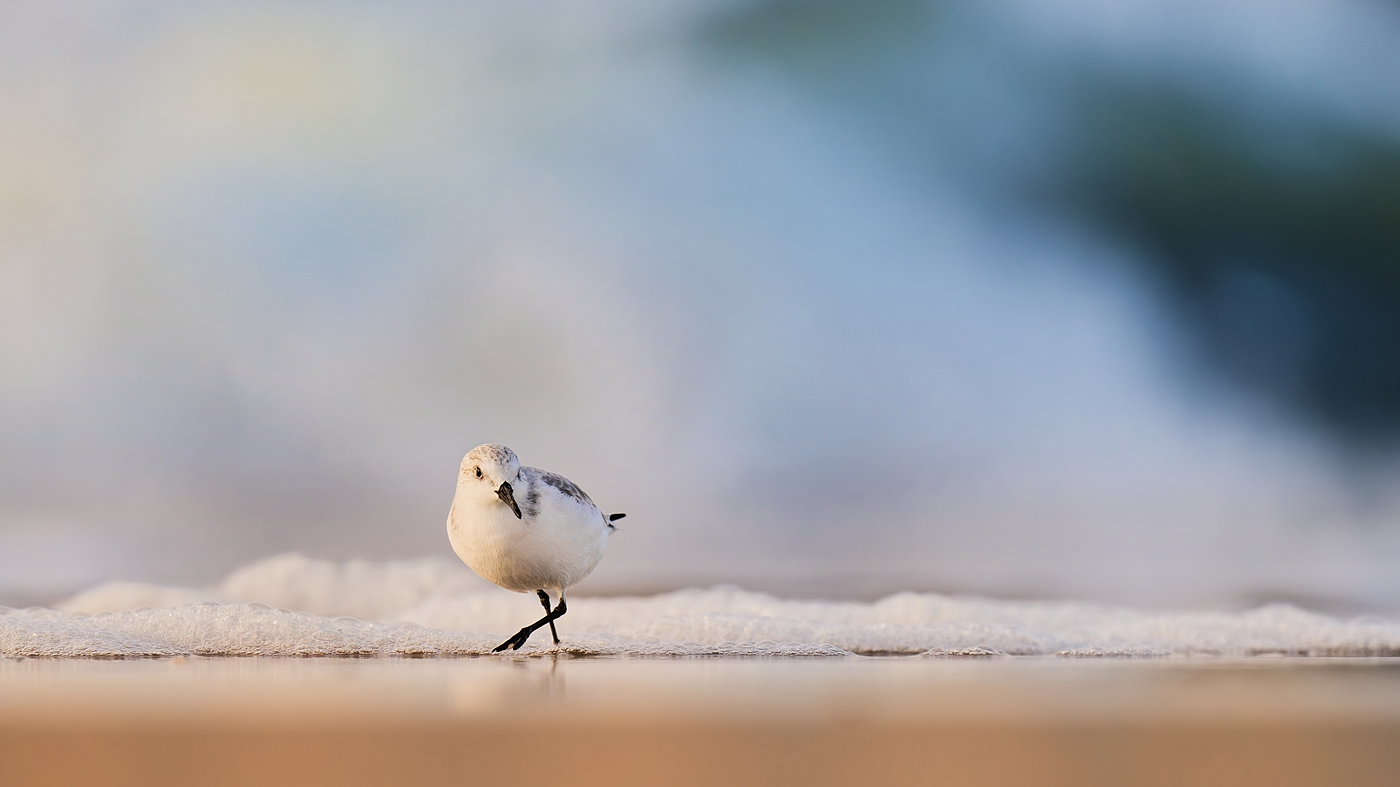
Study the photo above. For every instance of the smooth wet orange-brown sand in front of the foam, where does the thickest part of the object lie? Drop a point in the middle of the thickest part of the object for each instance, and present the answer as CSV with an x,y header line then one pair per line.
x,y
701,722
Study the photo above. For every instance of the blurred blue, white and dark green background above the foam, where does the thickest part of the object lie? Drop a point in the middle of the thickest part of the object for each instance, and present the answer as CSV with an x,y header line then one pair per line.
x,y
1079,299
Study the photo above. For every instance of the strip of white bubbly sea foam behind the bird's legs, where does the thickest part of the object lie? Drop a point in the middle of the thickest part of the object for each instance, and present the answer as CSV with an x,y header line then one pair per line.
x,y
292,606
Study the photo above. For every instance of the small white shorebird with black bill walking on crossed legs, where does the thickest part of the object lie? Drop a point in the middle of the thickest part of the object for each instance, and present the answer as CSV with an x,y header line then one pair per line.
x,y
526,530
